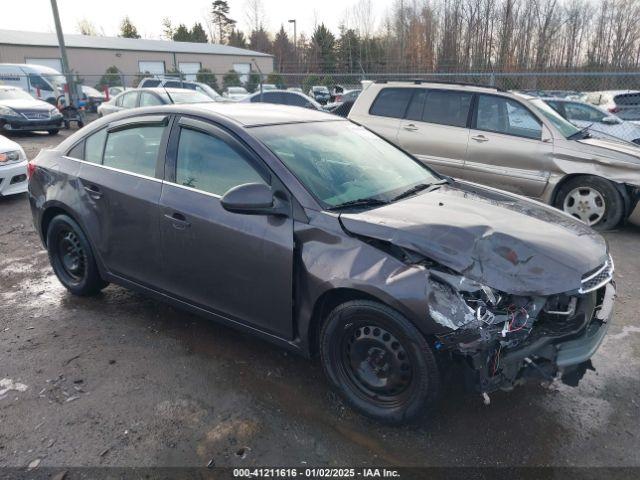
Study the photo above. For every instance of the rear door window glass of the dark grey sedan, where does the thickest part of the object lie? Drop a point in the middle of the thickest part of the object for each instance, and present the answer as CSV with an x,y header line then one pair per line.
x,y
134,149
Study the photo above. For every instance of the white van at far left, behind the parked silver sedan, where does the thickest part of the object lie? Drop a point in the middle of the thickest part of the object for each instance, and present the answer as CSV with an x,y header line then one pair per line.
x,y
43,83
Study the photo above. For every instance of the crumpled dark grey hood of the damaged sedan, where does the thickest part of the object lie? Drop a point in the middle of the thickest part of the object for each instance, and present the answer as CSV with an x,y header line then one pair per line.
x,y
506,242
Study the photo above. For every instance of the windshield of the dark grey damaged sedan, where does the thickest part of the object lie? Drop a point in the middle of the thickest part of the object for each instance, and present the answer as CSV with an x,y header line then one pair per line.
x,y
339,162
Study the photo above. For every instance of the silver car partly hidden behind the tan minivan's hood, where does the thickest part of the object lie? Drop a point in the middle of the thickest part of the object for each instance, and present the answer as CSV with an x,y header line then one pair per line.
x,y
601,124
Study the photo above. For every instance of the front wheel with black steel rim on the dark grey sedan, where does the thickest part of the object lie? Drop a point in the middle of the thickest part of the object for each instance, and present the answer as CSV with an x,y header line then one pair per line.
x,y
379,361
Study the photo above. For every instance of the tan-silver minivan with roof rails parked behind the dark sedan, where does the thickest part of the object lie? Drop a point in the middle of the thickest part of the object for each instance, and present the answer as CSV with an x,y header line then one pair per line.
x,y
508,141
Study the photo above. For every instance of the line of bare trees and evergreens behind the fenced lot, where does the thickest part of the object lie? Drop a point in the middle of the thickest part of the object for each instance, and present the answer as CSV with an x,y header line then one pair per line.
x,y
422,36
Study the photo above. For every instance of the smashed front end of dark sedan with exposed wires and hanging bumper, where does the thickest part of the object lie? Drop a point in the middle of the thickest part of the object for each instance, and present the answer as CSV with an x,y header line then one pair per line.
x,y
501,340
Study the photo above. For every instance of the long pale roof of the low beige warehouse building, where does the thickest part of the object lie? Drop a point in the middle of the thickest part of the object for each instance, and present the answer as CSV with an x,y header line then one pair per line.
x,y
43,39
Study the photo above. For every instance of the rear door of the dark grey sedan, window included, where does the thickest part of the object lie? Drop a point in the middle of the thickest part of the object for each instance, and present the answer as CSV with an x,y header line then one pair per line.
x,y
121,181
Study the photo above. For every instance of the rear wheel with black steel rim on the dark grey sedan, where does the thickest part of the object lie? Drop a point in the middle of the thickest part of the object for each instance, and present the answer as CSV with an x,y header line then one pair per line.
x,y
71,257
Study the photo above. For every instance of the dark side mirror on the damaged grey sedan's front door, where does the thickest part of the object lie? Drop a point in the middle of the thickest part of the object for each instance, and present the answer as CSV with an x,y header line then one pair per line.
x,y
253,199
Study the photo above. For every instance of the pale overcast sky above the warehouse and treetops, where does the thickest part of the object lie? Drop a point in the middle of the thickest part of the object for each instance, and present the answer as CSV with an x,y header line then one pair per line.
x,y
147,15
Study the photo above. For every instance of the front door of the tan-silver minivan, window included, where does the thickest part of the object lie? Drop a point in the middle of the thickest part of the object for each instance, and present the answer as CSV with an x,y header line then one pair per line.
x,y
505,147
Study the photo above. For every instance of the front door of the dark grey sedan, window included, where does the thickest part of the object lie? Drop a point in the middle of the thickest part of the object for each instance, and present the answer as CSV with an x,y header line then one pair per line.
x,y
235,265
